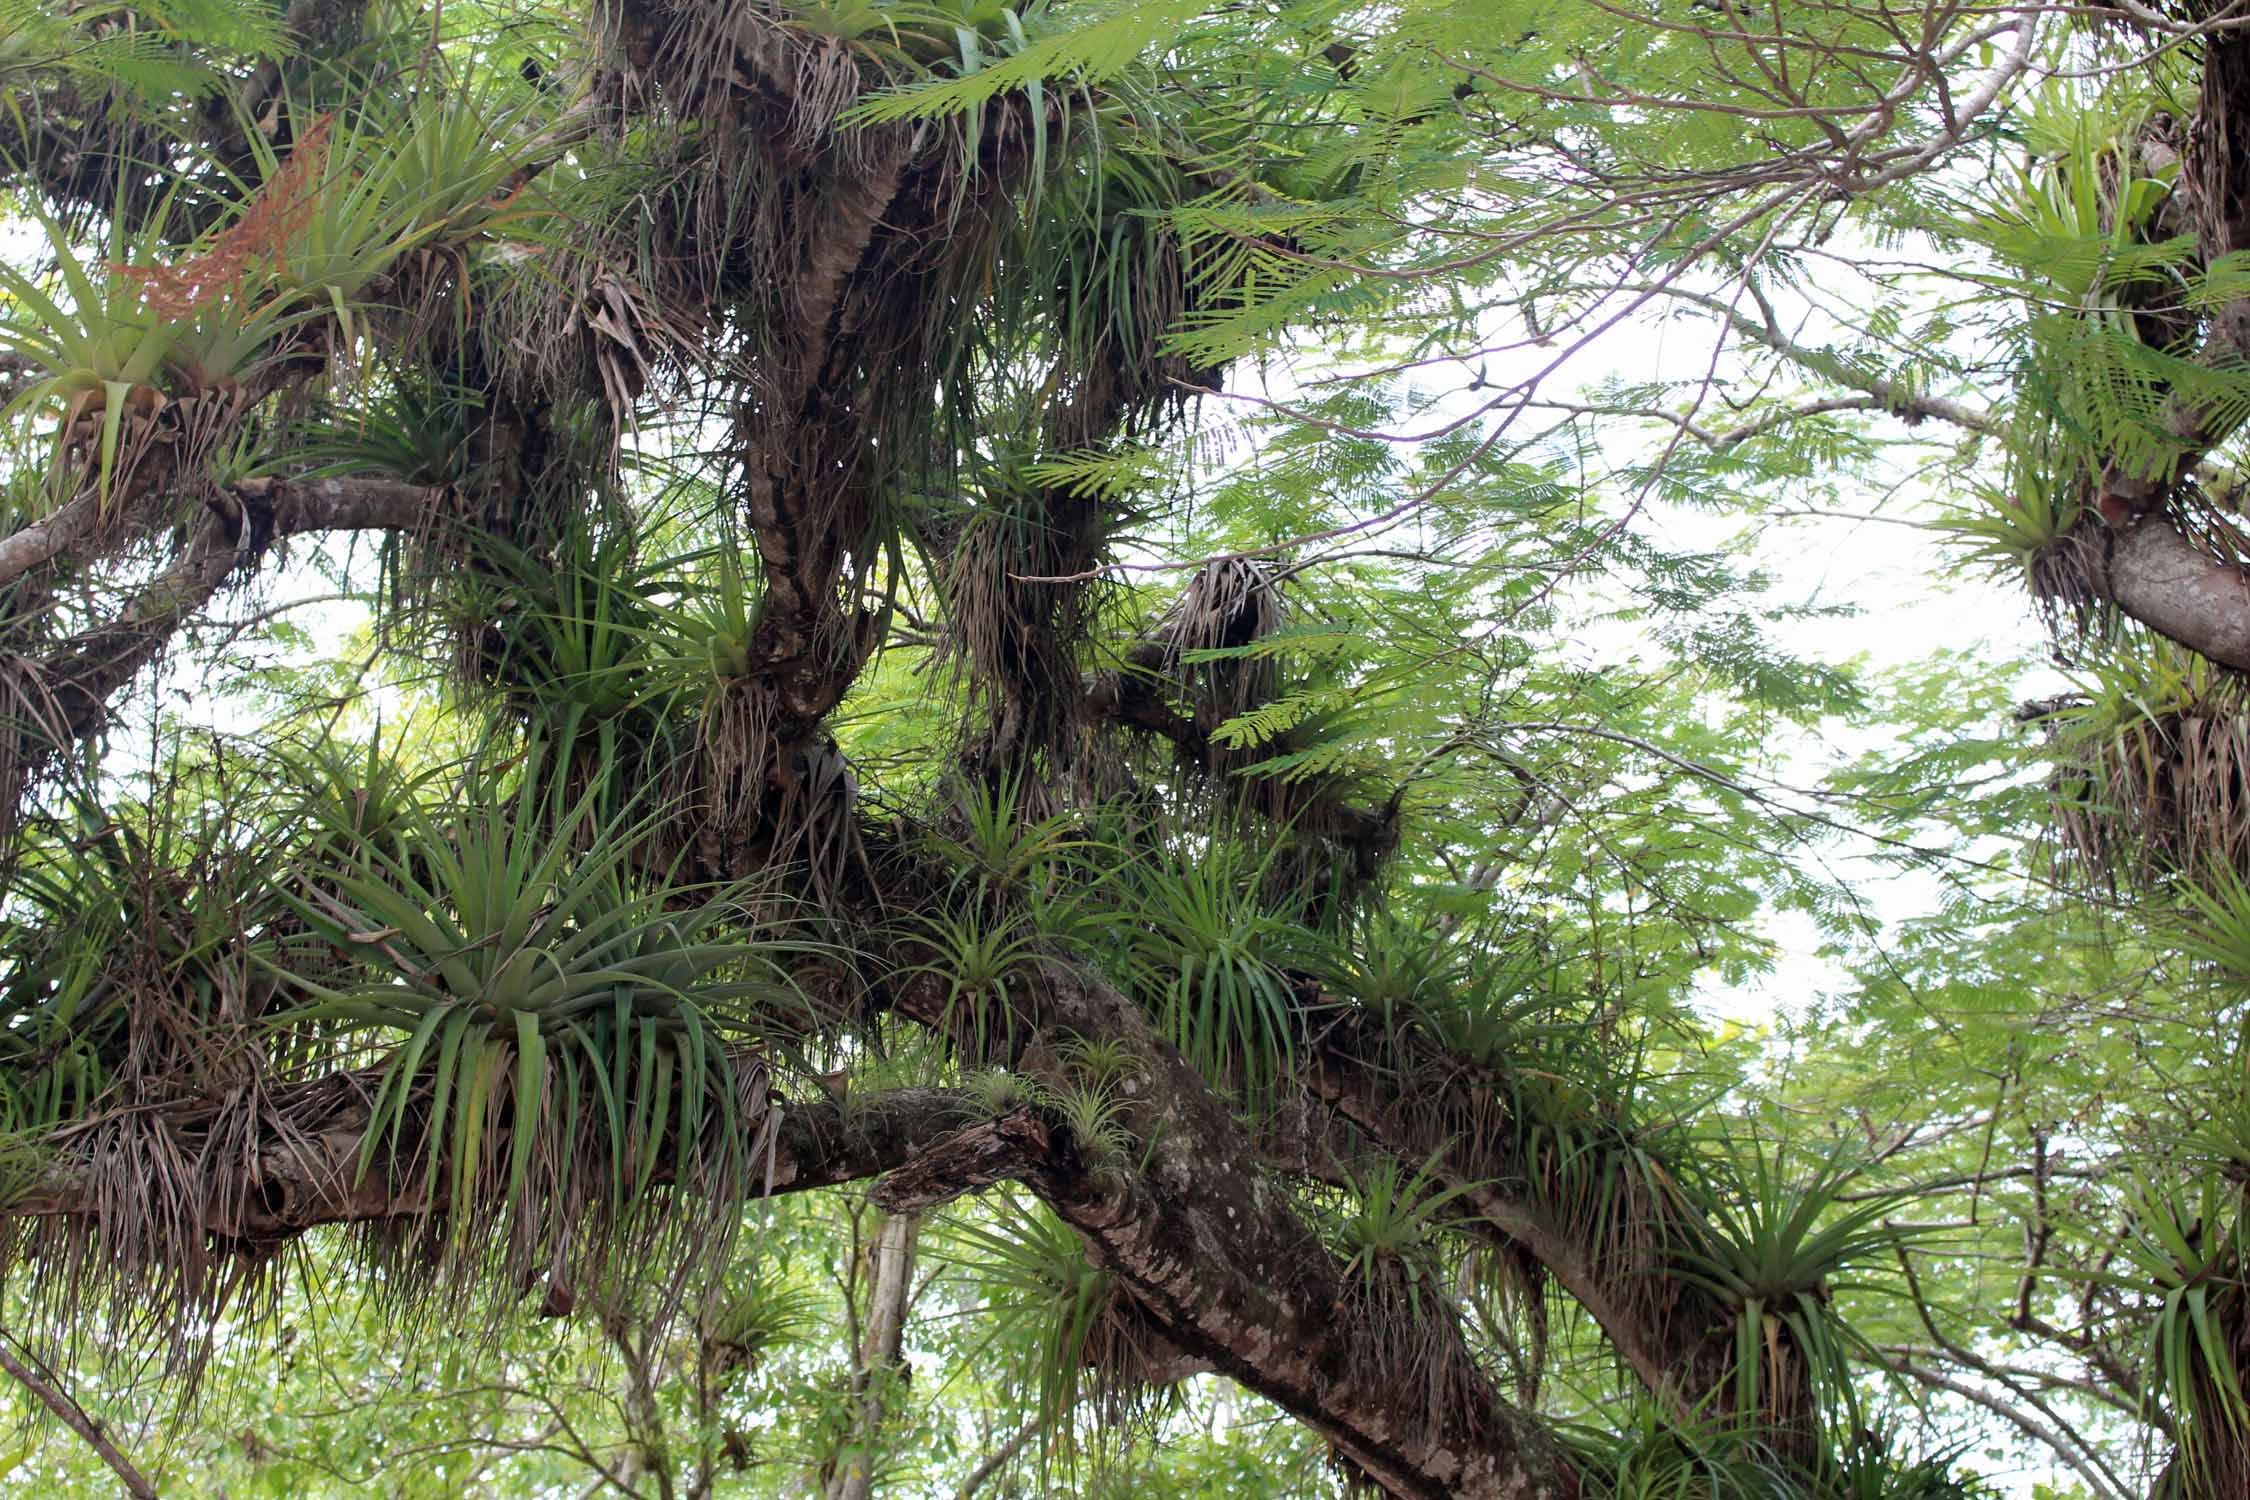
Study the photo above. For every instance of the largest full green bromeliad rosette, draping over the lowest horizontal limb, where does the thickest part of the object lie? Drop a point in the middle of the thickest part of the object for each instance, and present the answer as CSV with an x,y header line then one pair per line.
x,y
557,1031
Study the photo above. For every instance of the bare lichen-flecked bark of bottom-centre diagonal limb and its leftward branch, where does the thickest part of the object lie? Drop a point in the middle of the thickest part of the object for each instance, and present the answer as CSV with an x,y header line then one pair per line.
x,y
1187,1222
